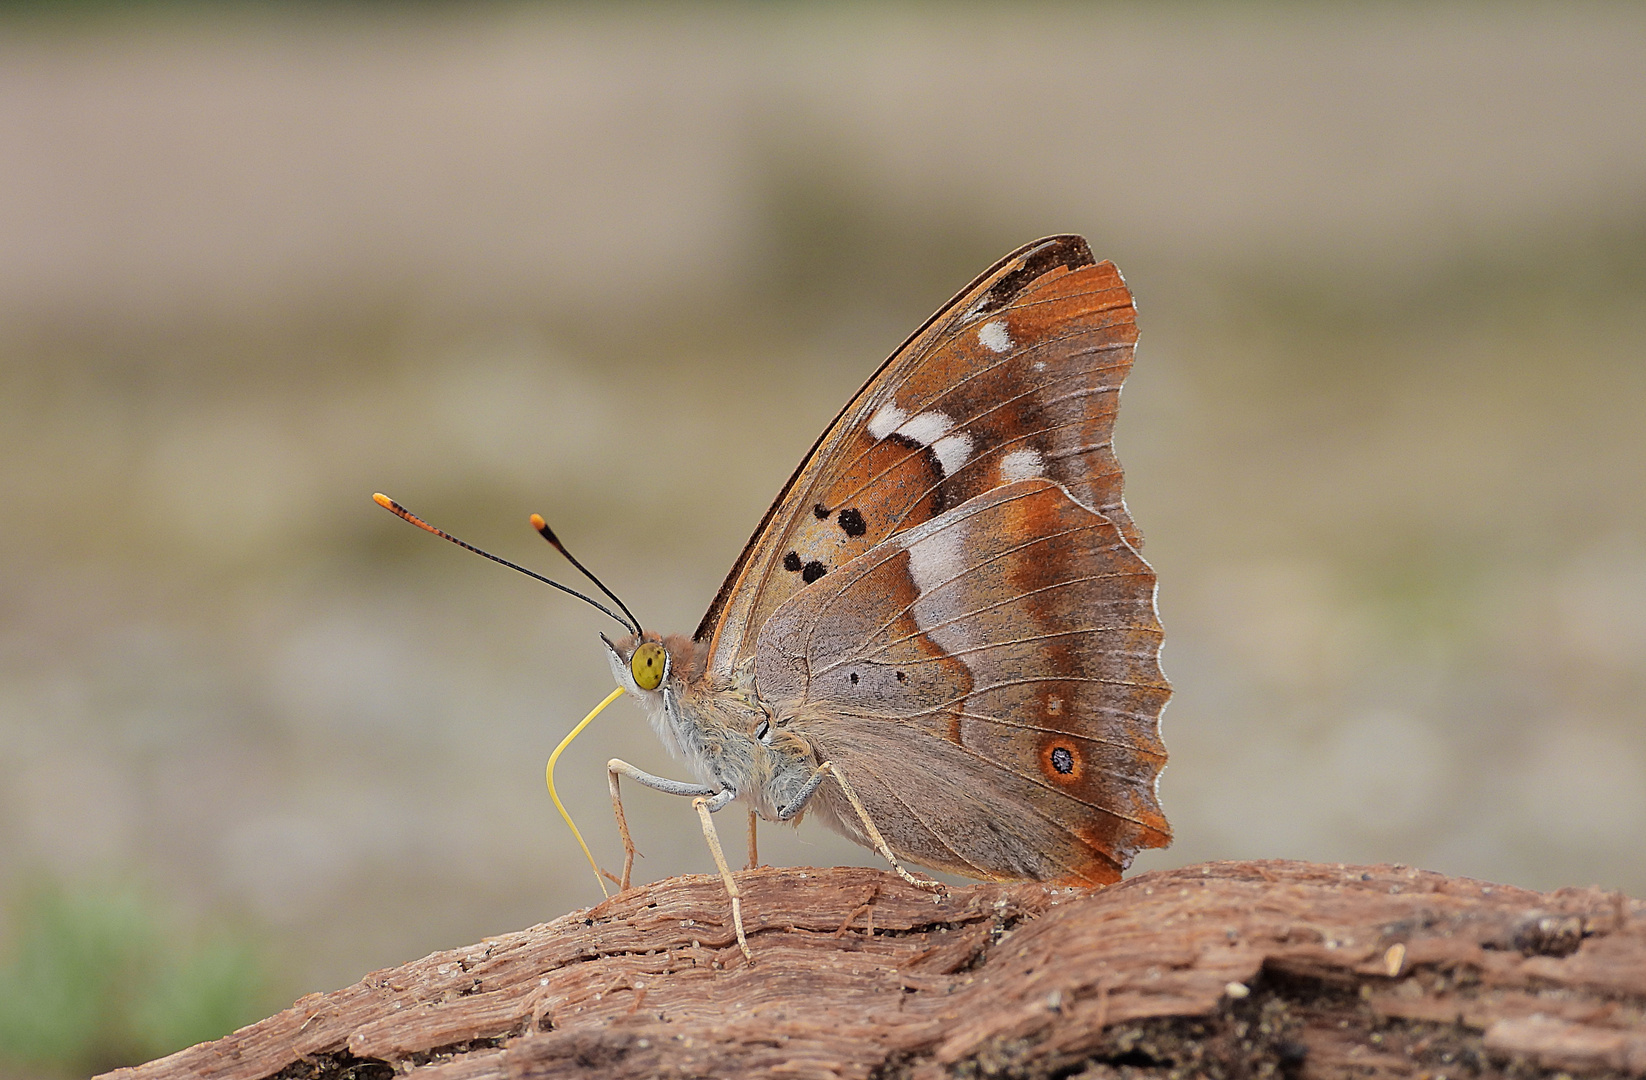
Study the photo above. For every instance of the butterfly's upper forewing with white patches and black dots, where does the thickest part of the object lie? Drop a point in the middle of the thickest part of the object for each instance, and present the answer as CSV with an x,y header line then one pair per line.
x,y
1018,376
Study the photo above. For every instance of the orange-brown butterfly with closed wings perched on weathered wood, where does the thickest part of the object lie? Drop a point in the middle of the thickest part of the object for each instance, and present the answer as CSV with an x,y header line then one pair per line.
x,y
942,638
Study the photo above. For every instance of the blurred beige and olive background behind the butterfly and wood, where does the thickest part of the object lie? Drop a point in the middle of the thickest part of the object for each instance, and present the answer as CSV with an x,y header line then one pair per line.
x,y
618,264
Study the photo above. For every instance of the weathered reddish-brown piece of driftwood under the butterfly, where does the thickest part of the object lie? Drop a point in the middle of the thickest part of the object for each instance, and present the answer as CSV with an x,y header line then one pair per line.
x,y
1225,969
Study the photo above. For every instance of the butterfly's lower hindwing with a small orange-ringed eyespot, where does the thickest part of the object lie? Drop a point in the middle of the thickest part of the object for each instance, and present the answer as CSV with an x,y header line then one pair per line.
x,y
990,684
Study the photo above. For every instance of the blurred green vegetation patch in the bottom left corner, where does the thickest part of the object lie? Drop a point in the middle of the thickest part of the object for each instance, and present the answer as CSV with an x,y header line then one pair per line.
x,y
96,979
